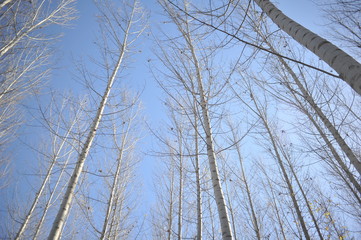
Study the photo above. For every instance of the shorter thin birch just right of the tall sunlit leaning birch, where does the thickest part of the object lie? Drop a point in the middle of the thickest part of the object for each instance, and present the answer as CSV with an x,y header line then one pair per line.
x,y
117,221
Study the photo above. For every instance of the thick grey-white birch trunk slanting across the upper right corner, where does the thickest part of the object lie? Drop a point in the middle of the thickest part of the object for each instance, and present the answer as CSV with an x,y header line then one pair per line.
x,y
348,68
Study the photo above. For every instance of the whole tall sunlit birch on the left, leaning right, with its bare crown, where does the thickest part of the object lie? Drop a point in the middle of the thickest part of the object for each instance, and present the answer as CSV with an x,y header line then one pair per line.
x,y
122,30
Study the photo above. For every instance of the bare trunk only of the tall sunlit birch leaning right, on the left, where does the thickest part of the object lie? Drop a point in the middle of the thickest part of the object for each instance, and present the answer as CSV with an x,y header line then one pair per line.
x,y
68,197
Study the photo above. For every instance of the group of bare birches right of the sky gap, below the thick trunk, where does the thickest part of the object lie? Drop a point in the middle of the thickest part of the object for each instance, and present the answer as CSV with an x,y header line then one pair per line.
x,y
267,141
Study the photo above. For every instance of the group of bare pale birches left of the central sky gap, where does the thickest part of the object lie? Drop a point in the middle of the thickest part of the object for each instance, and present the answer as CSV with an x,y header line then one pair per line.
x,y
107,119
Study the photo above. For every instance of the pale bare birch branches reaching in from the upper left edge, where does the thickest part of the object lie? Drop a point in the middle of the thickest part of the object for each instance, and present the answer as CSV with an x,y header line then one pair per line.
x,y
25,57
